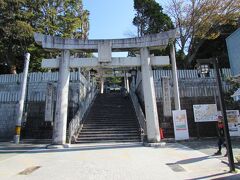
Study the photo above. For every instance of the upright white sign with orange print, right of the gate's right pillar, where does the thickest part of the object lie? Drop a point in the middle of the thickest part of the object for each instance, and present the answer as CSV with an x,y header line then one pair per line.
x,y
180,125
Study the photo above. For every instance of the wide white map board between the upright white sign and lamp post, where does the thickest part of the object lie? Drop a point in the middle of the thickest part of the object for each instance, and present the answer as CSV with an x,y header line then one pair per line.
x,y
205,112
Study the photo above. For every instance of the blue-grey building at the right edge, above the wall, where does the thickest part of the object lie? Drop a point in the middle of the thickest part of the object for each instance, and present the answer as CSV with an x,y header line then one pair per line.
x,y
233,46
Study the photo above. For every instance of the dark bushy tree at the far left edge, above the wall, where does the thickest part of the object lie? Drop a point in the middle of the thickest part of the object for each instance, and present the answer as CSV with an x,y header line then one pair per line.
x,y
15,32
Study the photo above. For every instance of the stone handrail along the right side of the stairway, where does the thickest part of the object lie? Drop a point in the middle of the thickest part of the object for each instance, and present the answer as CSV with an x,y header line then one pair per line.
x,y
139,113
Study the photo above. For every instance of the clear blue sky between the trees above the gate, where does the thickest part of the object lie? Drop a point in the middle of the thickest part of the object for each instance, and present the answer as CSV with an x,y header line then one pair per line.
x,y
110,19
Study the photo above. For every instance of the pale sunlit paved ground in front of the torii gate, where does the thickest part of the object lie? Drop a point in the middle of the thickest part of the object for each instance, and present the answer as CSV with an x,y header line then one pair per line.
x,y
128,161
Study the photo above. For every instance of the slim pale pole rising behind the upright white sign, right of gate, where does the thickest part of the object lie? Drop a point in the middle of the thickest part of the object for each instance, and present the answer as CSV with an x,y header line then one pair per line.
x,y
175,78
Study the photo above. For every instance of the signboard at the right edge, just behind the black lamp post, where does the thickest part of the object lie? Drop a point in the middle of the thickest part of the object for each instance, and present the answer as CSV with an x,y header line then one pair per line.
x,y
233,122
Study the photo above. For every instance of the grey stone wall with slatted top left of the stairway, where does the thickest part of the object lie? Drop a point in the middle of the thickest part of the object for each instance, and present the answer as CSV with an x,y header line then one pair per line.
x,y
35,126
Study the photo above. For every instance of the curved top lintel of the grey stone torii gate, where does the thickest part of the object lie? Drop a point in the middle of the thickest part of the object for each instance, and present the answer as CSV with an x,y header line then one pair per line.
x,y
154,40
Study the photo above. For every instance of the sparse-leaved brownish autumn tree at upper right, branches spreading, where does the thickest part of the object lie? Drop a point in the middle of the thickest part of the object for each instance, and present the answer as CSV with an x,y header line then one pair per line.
x,y
199,20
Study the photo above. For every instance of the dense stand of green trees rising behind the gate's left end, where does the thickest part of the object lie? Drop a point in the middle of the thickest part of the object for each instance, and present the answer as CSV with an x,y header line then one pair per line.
x,y
20,18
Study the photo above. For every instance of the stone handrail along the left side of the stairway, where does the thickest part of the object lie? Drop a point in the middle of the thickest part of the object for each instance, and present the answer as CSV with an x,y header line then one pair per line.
x,y
76,123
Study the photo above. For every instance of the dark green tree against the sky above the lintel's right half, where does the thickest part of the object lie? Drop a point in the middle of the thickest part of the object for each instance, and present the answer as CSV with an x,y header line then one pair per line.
x,y
149,17
